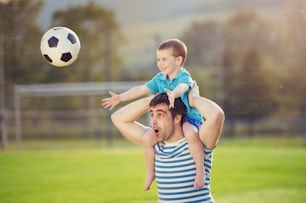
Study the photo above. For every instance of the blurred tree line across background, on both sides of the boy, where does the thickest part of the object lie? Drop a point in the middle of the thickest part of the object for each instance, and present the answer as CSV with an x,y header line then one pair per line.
x,y
254,67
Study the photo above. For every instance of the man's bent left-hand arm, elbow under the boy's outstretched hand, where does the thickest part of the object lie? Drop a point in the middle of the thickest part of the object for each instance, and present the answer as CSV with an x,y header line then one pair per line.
x,y
125,120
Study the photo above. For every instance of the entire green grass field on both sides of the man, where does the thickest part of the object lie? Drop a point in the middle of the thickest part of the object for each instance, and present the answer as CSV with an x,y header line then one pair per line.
x,y
244,170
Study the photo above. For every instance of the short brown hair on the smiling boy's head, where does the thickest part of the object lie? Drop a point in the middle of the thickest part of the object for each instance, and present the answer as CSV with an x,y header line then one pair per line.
x,y
178,47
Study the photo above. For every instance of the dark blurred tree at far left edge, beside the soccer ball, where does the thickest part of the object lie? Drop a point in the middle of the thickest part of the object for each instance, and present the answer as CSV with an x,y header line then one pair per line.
x,y
17,47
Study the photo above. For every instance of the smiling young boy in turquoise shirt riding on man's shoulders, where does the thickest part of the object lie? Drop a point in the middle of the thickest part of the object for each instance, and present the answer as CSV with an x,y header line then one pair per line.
x,y
176,82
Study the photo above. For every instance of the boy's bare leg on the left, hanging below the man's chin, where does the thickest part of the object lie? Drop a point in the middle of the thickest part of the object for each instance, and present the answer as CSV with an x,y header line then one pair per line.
x,y
149,141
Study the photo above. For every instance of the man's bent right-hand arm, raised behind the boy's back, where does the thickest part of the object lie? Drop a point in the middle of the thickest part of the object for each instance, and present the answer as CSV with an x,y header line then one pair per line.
x,y
211,129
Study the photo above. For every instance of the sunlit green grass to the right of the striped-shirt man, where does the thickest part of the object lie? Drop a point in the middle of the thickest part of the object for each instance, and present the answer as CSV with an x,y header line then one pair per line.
x,y
267,170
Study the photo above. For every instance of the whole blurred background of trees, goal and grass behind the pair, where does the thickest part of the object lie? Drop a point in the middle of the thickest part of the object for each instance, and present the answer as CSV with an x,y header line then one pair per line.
x,y
59,145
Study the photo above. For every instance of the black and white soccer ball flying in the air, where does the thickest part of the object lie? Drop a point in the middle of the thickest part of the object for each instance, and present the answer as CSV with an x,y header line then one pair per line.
x,y
60,46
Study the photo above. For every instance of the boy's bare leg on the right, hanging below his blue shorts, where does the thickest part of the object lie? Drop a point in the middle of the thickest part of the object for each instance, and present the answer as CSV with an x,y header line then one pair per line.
x,y
197,152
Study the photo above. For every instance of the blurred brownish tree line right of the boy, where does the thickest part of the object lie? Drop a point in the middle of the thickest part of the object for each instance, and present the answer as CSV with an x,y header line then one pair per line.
x,y
256,65
